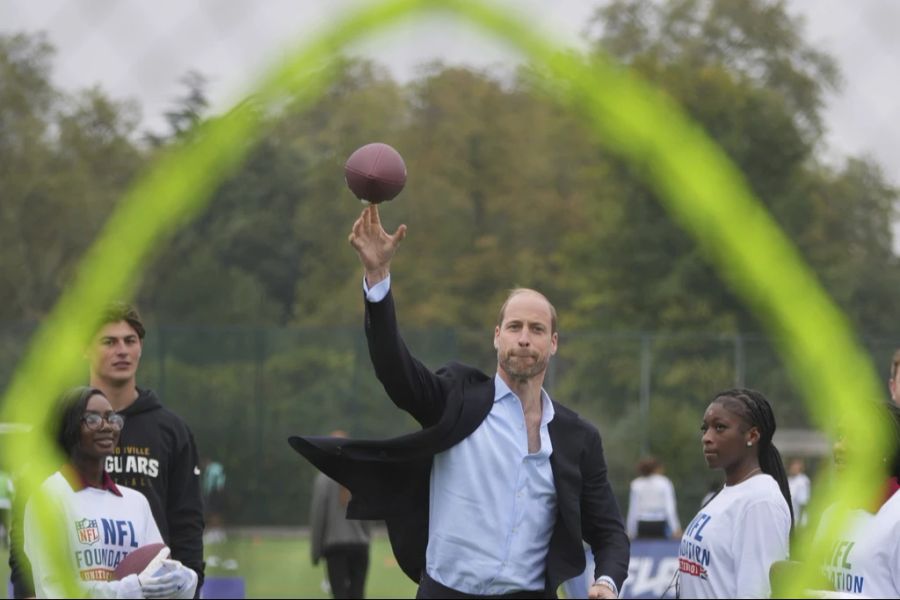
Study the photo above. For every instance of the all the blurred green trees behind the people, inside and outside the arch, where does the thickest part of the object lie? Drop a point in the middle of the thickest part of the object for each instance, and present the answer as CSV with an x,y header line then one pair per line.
x,y
505,189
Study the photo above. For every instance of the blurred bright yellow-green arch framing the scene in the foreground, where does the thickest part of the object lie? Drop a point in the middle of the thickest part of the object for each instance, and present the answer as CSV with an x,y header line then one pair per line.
x,y
699,187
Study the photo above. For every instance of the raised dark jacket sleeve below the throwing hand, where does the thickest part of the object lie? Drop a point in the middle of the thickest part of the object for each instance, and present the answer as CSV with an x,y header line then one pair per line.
x,y
409,383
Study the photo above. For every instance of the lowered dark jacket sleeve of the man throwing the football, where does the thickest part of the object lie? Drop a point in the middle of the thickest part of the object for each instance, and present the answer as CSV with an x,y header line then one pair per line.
x,y
601,520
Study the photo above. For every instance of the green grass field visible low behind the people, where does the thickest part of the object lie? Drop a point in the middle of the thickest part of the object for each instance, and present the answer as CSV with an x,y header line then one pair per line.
x,y
279,567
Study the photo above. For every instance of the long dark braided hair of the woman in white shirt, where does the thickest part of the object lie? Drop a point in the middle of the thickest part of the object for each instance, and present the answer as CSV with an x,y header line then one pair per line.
x,y
753,407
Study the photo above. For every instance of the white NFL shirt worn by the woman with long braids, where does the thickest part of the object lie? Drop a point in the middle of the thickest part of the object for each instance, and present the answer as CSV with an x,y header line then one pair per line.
x,y
728,548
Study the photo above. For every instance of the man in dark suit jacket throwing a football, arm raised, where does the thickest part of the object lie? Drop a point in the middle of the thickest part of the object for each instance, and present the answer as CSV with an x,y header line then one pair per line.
x,y
493,497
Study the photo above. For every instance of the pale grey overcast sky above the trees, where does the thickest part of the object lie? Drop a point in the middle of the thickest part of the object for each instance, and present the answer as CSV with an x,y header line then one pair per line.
x,y
139,49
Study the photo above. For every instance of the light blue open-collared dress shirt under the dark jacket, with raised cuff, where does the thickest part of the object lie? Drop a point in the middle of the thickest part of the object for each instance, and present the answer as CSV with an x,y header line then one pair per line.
x,y
493,505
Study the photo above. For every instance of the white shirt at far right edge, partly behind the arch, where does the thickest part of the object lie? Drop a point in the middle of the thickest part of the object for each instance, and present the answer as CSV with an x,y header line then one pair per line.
x,y
869,562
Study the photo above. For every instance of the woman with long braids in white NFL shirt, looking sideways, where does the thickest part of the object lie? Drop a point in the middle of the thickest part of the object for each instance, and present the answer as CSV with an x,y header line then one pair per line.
x,y
728,548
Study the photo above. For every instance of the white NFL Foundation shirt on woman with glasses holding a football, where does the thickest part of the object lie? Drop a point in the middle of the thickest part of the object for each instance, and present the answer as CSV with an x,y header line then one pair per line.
x,y
101,528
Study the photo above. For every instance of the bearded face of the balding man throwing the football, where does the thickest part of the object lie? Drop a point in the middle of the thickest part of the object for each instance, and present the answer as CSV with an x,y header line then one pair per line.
x,y
523,340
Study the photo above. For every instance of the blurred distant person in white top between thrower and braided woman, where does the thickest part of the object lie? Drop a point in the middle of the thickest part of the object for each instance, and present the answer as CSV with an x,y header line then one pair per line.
x,y
651,504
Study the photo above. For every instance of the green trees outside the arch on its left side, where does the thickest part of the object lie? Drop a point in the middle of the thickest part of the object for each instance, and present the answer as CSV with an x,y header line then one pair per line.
x,y
63,163
